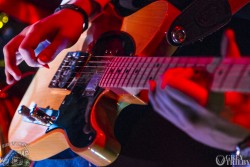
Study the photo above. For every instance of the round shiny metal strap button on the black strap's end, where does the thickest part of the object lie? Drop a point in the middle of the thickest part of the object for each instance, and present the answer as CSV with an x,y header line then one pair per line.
x,y
178,35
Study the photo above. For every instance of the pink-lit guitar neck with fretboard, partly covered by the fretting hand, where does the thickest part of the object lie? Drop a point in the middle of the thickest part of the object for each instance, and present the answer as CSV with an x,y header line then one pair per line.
x,y
128,72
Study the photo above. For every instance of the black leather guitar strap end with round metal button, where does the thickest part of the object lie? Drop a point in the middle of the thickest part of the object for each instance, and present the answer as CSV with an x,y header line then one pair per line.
x,y
200,19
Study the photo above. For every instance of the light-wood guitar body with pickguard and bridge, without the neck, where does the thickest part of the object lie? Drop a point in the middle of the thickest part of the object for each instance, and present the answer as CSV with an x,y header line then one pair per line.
x,y
64,111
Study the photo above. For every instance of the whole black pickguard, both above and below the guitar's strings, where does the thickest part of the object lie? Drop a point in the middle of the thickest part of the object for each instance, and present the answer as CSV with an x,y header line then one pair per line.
x,y
74,115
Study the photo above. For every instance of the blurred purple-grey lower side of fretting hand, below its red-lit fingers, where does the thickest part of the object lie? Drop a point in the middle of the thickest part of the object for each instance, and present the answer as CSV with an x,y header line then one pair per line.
x,y
195,120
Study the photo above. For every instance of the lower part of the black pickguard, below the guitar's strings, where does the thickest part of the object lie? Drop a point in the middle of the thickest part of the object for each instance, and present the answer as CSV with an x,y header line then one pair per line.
x,y
74,118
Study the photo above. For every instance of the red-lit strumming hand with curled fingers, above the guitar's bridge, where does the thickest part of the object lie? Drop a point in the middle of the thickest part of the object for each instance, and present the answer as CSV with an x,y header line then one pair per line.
x,y
62,29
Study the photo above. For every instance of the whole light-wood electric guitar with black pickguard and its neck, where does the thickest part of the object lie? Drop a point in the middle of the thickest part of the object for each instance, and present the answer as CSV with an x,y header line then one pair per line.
x,y
74,104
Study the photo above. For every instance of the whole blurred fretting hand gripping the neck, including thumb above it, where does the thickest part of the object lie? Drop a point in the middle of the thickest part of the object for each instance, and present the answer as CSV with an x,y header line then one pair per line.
x,y
180,107
